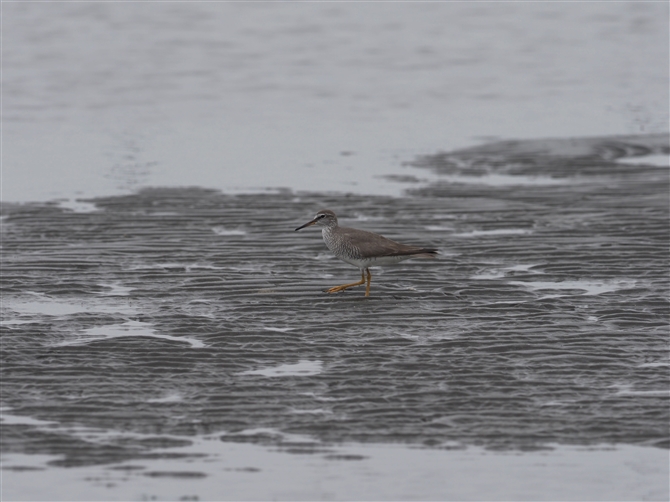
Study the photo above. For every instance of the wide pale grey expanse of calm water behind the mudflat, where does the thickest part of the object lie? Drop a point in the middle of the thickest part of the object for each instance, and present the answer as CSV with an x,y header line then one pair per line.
x,y
105,98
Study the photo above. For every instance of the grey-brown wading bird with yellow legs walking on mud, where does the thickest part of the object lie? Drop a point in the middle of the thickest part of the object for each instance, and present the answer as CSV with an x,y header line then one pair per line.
x,y
361,248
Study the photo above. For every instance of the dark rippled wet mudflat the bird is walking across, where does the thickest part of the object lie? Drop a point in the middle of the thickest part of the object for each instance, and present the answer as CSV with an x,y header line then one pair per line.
x,y
174,314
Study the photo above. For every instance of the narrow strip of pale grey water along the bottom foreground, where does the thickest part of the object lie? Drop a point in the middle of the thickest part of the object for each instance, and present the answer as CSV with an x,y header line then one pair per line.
x,y
211,469
